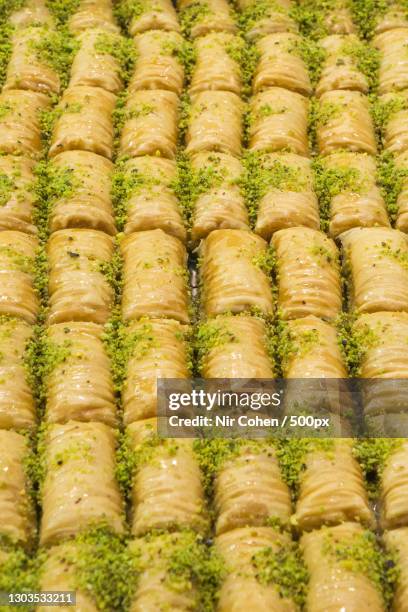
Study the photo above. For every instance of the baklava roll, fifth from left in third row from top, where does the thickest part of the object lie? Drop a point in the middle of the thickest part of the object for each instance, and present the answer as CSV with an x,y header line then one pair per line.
x,y
278,121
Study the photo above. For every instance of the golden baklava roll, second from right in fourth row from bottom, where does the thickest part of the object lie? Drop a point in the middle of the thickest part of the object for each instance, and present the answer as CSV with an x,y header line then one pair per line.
x,y
308,272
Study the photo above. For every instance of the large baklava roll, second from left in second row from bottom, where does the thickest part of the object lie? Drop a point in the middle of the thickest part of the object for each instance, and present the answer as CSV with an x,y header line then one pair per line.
x,y
79,489
